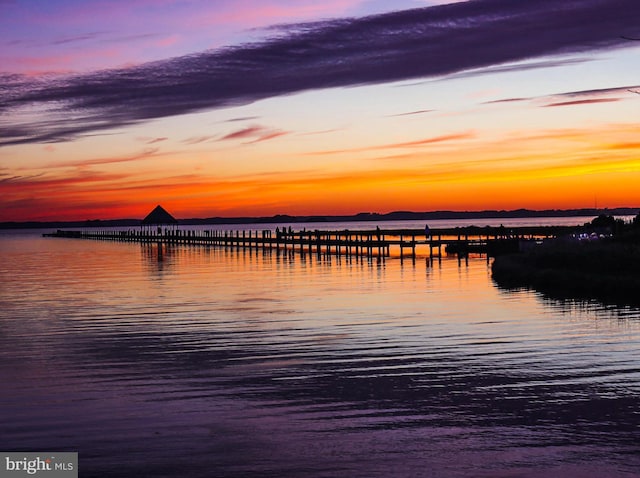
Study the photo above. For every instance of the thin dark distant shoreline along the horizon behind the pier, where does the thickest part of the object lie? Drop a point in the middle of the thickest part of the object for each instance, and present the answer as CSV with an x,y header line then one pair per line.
x,y
364,216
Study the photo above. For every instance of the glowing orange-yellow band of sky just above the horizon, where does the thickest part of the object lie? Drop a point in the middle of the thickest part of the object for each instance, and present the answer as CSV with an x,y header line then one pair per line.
x,y
561,168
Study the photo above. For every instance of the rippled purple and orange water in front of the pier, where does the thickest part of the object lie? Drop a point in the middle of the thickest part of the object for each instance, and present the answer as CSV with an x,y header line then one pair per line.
x,y
199,362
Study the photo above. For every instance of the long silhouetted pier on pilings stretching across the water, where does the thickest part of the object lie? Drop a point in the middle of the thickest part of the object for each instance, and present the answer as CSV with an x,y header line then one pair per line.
x,y
373,243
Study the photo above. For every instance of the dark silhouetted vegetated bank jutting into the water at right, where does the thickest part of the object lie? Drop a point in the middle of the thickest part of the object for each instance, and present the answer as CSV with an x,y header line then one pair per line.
x,y
598,261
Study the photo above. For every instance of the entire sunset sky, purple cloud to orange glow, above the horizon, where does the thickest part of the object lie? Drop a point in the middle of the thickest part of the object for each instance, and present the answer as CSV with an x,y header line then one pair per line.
x,y
256,108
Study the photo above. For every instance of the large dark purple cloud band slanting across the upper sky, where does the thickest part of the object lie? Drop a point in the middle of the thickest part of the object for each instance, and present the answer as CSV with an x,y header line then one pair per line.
x,y
427,42
